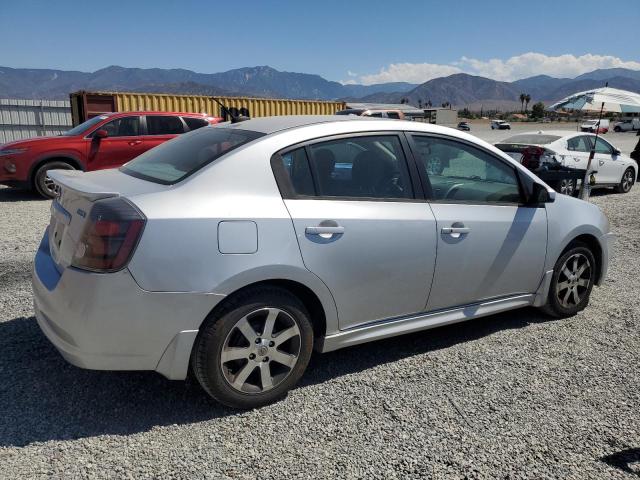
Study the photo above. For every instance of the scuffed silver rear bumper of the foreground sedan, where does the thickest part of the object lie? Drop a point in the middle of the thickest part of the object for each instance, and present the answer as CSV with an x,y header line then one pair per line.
x,y
107,322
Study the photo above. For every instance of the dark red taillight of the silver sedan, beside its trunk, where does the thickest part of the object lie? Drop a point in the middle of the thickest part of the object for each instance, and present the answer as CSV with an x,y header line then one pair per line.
x,y
110,236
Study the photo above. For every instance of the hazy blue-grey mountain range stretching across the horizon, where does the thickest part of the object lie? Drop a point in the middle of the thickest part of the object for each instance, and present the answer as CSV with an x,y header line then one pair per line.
x,y
461,90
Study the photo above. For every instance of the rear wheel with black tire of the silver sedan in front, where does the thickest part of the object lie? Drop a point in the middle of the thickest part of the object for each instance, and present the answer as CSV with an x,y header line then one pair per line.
x,y
243,368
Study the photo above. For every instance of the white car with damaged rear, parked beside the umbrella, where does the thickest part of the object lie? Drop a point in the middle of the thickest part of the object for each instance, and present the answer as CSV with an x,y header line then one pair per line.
x,y
561,150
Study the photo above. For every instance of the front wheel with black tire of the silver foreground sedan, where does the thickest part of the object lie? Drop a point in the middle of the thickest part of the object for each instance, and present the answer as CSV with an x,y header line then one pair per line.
x,y
569,277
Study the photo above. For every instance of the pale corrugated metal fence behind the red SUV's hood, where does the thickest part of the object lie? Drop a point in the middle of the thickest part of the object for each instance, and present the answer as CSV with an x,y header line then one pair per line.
x,y
33,118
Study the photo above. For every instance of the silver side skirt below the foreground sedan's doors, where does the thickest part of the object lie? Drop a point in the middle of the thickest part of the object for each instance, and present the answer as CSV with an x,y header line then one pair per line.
x,y
424,321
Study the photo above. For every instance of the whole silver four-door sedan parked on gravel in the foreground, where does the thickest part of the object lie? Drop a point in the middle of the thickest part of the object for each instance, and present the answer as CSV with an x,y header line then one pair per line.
x,y
235,250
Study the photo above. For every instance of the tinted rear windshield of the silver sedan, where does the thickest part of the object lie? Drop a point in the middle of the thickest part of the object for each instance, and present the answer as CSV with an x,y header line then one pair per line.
x,y
176,159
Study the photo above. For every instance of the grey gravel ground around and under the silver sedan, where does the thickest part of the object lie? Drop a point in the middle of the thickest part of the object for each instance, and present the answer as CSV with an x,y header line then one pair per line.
x,y
512,396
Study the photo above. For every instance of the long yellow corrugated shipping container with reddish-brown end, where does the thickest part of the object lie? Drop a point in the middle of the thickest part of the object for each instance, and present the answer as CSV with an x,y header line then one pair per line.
x,y
85,105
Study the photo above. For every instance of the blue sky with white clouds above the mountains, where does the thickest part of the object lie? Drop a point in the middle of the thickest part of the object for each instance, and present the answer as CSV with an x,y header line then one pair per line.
x,y
350,41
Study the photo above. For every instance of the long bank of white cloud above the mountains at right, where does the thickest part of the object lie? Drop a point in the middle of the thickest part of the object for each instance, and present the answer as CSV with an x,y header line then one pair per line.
x,y
514,68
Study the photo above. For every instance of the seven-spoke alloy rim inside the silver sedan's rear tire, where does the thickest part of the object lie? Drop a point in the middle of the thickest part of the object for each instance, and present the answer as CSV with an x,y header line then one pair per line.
x,y
261,350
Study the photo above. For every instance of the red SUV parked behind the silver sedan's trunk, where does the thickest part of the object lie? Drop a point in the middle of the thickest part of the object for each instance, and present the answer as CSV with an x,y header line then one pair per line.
x,y
105,141
